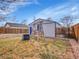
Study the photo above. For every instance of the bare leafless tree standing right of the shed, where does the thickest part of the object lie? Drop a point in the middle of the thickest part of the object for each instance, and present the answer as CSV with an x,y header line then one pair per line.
x,y
67,22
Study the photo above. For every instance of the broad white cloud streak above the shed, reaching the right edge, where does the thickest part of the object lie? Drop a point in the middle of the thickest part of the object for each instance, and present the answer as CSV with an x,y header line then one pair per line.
x,y
58,12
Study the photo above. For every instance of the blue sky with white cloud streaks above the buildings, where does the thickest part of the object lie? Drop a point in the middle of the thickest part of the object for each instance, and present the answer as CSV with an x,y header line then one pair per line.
x,y
55,9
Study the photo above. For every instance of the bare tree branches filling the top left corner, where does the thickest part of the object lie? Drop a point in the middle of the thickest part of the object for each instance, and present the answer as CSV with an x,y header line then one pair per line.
x,y
7,6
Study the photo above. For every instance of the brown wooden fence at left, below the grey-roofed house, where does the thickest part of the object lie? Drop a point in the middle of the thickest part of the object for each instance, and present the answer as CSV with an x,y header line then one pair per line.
x,y
12,30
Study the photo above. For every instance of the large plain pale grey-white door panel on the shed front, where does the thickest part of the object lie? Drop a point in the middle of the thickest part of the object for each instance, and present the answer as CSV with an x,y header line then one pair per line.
x,y
49,30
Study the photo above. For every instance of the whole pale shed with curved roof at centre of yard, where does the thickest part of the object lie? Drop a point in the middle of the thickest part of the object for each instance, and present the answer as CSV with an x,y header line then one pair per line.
x,y
47,27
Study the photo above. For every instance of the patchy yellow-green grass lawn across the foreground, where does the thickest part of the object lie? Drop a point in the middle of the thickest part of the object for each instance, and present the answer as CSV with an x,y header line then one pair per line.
x,y
15,48
